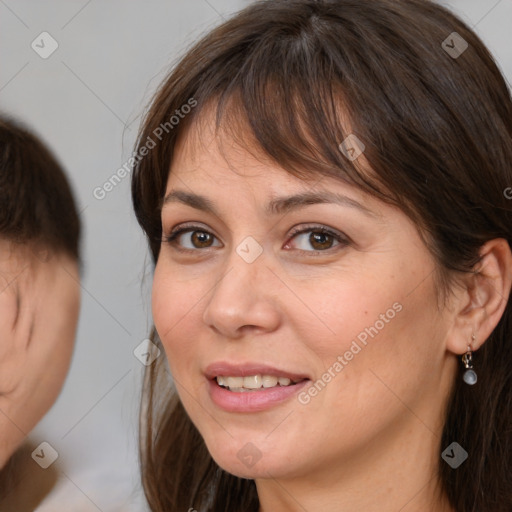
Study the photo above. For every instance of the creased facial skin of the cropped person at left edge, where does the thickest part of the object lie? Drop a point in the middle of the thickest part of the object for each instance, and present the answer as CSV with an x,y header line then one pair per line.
x,y
39,304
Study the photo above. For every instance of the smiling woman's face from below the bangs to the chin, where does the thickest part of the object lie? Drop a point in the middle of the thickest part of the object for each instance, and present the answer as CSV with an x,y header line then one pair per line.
x,y
350,314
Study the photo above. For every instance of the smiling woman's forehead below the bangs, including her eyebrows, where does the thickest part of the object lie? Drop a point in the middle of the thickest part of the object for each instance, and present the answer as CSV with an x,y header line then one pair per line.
x,y
209,163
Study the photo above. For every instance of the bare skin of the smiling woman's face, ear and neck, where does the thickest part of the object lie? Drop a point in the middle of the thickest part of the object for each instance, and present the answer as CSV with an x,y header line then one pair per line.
x,y
370,440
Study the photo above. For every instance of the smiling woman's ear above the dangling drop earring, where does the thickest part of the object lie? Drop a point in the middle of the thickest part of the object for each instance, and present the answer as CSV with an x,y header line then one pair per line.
x,y
482,298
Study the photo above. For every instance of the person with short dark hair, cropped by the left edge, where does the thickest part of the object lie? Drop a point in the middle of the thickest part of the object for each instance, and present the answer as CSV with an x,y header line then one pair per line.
x,y
39,285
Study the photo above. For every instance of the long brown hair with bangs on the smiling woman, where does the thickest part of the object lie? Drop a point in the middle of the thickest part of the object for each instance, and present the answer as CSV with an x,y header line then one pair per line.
x,y
437,128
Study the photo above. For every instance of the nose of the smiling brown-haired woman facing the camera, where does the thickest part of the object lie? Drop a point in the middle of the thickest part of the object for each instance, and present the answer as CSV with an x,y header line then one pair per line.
x,y
245,298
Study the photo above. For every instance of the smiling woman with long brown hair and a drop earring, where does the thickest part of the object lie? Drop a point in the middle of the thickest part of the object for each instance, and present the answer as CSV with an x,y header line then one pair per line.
x,y
331,238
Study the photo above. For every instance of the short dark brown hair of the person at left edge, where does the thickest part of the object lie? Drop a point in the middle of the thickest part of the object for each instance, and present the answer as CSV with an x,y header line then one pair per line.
x,y
36,198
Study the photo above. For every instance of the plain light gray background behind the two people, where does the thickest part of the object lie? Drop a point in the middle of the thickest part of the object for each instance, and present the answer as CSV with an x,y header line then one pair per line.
x,y
85,101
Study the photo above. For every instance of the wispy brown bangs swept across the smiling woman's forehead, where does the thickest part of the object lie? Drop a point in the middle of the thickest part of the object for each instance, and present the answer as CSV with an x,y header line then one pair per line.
x,y
292,109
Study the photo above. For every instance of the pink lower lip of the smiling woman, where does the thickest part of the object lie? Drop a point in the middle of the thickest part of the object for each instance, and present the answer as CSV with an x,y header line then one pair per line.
x,y
252,401
